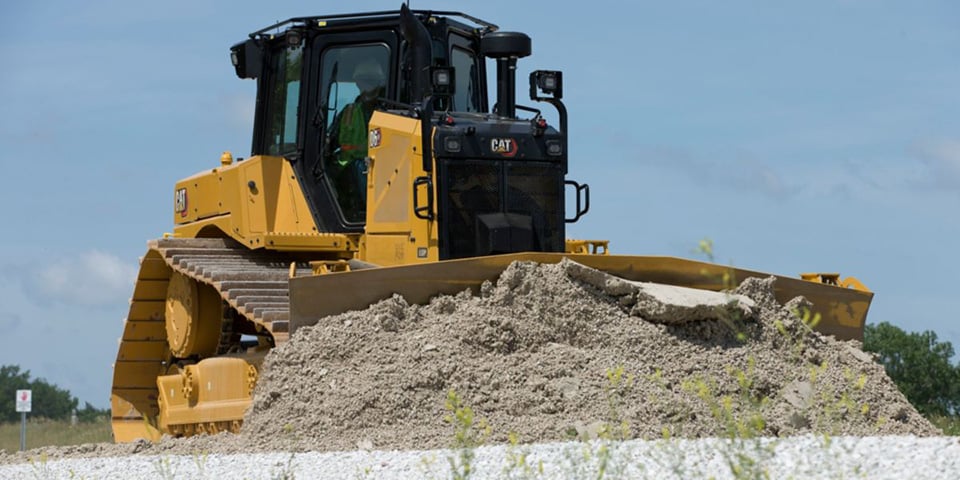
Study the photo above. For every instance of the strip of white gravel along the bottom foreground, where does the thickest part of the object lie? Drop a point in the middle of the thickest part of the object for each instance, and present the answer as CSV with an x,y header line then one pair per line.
x,y
810,456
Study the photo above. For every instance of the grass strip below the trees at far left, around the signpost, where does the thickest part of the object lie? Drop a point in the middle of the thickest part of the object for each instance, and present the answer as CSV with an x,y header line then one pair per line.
x,y
42,432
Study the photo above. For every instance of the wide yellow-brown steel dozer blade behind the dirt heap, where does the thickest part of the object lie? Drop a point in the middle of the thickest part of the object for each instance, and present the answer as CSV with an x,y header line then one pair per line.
x,y
842,310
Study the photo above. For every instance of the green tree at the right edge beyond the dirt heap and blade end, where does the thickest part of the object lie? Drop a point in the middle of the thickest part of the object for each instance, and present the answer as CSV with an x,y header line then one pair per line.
x,y
919,365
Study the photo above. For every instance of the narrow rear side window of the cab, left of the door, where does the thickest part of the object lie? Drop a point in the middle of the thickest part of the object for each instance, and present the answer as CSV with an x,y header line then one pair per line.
x,y
284,103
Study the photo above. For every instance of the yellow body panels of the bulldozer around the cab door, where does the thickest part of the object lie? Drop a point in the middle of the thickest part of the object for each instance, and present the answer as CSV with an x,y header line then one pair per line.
x,y
259,203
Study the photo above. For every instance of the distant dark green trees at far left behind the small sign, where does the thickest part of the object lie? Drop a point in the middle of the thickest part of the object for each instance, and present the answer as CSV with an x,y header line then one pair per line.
x,y
48,401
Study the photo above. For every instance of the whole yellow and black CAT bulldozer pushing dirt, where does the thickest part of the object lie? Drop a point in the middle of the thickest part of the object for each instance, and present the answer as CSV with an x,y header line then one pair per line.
x,y
378,167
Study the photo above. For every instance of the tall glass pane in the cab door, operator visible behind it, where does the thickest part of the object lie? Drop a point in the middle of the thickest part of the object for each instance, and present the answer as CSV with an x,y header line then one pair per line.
x,y
353,79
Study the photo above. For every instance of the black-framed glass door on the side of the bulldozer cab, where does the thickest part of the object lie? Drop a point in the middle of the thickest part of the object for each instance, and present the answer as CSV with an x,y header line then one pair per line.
x,y
333,171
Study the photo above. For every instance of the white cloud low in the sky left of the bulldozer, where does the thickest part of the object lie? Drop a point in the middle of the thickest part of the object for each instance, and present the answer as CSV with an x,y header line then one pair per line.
x,y
92,279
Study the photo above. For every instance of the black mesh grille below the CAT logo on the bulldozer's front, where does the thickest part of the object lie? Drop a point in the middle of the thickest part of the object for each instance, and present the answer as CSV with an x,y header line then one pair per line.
x,y
470,189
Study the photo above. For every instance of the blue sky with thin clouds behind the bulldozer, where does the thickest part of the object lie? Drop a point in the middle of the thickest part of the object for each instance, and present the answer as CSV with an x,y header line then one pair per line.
x,y
817,136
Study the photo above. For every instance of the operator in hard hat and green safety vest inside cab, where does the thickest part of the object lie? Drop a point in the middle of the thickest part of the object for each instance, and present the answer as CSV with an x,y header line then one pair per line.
x,y
349,140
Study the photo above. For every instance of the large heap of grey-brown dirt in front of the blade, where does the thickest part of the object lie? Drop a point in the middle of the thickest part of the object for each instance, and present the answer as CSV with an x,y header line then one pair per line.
x,y
554,352
